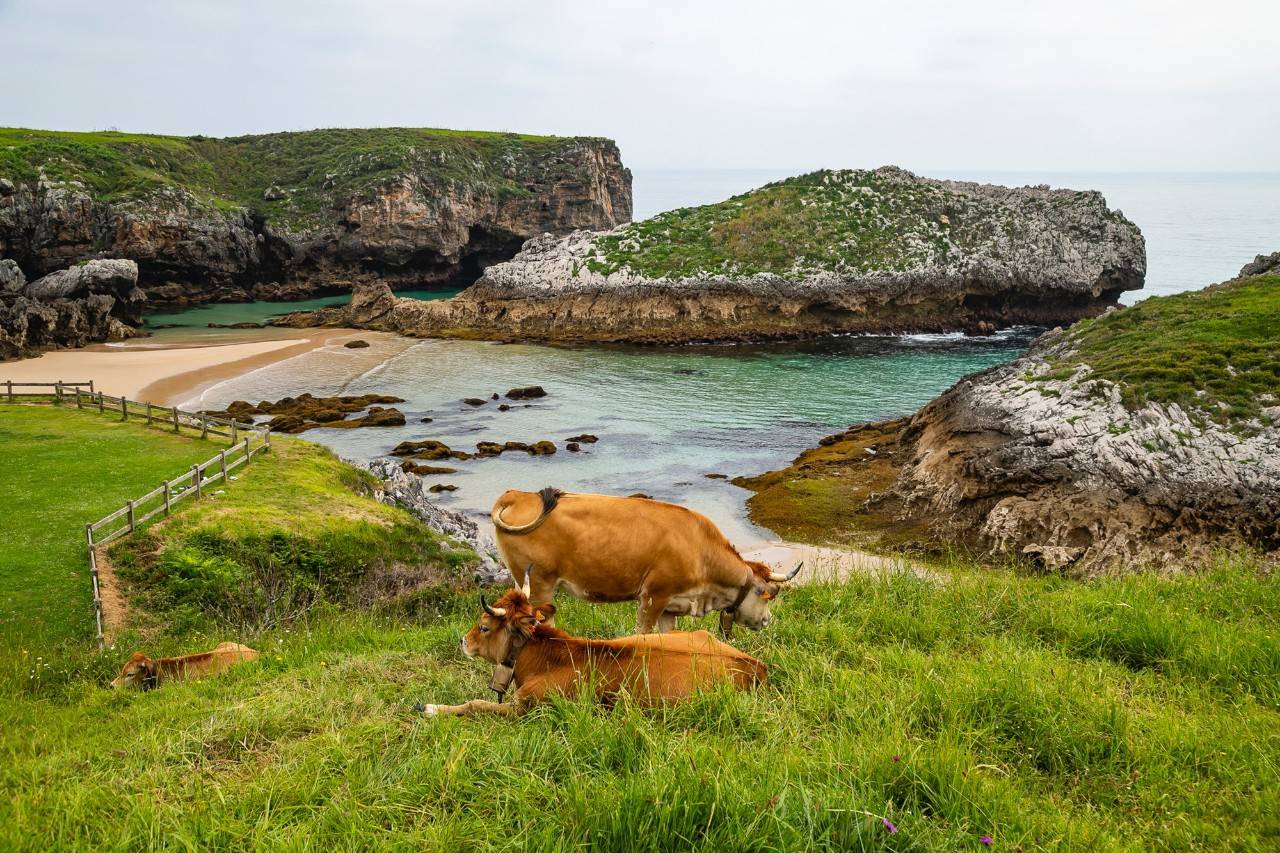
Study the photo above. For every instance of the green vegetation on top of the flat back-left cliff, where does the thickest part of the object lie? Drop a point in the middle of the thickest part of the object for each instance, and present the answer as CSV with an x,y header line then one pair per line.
x,y
292,180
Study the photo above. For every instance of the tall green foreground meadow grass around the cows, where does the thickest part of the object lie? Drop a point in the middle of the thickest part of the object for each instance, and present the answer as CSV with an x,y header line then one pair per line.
x,y
1132,714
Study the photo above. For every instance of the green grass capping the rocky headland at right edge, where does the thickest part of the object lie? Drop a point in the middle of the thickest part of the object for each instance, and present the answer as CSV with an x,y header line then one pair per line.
x,y
1215,350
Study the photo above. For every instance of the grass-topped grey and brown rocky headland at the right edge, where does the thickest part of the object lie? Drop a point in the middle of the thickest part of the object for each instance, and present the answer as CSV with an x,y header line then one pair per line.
x,y
1149,437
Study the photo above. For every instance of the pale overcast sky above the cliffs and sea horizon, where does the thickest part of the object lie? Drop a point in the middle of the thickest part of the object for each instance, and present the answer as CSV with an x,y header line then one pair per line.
x,y
958,85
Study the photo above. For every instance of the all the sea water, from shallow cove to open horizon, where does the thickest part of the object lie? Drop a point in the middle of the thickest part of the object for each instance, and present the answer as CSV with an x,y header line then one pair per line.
x,y
669,418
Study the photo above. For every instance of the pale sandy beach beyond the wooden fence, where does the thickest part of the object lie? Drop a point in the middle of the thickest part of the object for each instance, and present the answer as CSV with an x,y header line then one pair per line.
x,y
163,375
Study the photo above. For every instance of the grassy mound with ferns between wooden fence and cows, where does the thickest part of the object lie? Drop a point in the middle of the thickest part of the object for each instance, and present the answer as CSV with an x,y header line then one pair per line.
x,y
299,530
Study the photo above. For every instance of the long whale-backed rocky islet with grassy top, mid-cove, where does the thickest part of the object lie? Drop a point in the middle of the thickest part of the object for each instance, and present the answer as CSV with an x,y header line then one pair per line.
x,y
824,253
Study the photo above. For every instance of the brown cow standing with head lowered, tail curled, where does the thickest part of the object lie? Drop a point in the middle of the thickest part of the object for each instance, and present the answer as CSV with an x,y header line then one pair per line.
x,y
605,549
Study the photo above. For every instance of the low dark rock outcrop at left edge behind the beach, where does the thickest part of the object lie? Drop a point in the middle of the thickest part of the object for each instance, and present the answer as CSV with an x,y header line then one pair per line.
x,y
86,304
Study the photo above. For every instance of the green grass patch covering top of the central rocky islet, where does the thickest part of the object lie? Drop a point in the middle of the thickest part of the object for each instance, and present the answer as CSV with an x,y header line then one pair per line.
x,y
843,221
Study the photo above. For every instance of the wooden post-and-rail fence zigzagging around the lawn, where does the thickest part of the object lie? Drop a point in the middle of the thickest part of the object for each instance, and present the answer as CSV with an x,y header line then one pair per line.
x,y
246,443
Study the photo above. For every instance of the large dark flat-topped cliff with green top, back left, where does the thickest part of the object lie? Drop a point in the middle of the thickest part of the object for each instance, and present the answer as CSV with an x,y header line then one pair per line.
x,y
287,216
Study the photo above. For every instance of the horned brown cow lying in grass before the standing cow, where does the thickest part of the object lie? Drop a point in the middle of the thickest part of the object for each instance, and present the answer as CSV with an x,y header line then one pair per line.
x,y
653,668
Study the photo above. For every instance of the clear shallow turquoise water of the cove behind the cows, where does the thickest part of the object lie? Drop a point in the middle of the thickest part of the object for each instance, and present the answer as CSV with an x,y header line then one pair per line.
x,y
665,418
